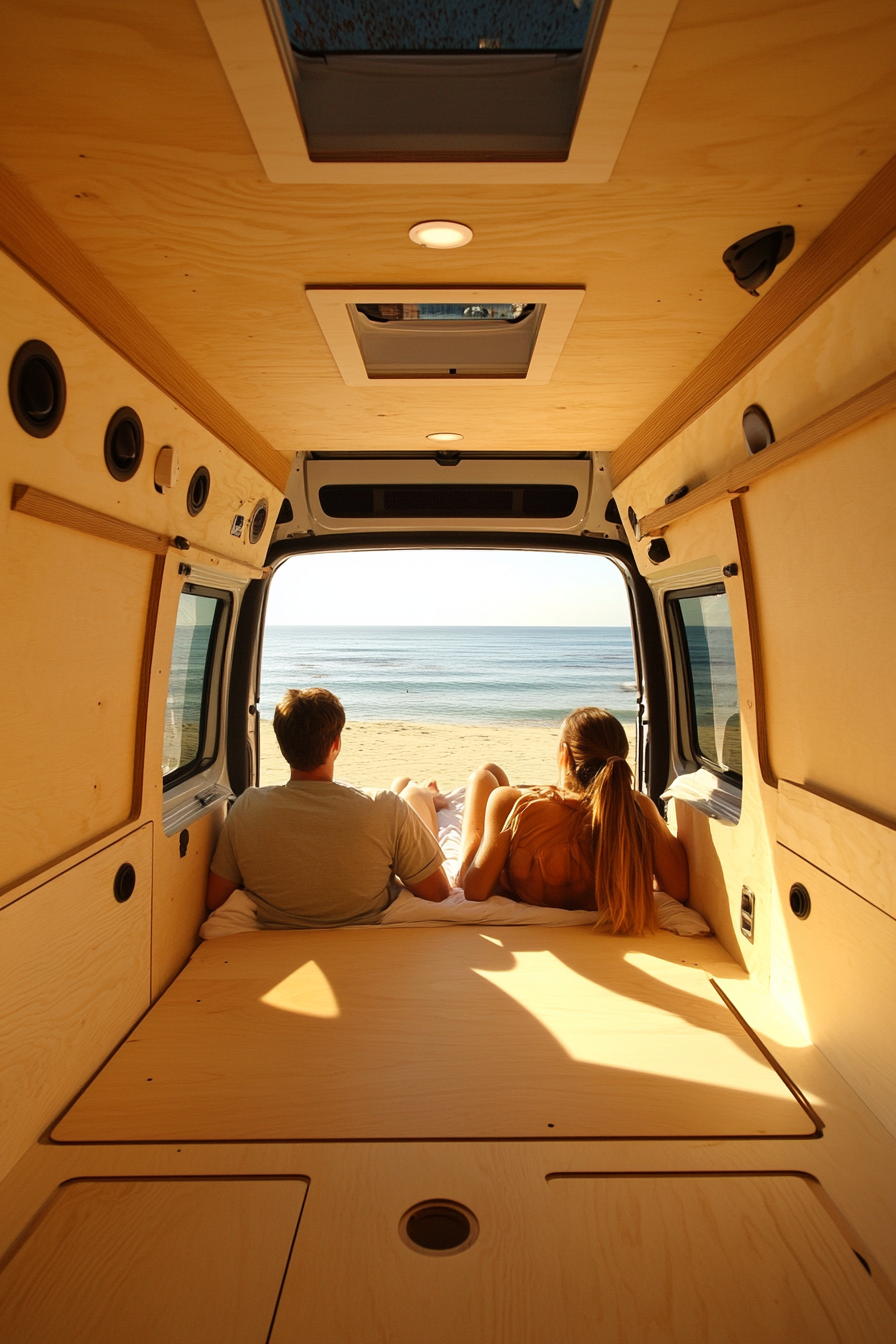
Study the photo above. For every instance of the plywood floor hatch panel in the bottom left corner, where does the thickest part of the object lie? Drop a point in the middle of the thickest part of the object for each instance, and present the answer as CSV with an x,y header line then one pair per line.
x,y
182,1261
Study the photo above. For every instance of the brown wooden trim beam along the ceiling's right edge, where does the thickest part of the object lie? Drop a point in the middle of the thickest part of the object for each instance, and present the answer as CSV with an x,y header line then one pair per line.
x,y
847,245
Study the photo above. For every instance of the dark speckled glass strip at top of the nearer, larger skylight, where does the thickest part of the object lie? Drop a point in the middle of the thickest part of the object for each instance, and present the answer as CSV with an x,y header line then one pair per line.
x,y
328,28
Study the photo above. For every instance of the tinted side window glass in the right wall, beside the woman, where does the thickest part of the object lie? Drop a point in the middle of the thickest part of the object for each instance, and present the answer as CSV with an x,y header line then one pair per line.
x,y
709,653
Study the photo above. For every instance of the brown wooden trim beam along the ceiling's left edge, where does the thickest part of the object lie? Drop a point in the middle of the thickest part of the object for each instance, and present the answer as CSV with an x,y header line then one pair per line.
x,y
34,240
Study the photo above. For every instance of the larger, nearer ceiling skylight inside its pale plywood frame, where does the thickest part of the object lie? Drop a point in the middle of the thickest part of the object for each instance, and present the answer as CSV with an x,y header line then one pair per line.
x,y
468,81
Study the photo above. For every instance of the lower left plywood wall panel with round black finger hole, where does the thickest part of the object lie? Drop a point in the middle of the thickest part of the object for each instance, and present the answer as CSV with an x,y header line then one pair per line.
x,y
75,976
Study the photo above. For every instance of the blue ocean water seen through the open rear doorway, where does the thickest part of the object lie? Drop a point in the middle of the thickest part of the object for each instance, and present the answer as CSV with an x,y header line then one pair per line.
x,y
479,675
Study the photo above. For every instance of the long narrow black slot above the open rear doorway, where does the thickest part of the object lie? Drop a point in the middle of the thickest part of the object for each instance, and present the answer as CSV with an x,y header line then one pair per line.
x,y
449,501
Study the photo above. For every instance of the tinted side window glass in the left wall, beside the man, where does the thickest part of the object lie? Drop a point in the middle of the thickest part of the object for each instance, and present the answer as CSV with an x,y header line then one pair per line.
x,y
195,667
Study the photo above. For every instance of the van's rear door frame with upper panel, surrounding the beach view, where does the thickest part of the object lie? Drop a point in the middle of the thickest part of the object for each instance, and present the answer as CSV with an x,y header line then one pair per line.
x,y
451,499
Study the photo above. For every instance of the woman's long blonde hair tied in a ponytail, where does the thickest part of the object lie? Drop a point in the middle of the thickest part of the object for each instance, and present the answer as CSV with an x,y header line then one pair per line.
x,y
623,849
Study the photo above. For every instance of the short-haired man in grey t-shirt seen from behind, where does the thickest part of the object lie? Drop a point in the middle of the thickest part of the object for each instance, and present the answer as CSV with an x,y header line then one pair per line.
x,y
314,854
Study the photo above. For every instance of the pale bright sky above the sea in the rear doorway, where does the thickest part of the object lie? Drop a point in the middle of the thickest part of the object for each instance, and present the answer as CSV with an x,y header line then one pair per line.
x,y
448,588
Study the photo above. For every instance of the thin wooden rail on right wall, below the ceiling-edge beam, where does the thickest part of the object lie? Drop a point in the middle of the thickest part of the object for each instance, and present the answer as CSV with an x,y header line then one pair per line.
x,y
866,407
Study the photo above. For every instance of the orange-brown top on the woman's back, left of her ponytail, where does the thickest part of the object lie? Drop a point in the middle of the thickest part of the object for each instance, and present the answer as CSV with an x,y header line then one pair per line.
x,y
551,859
